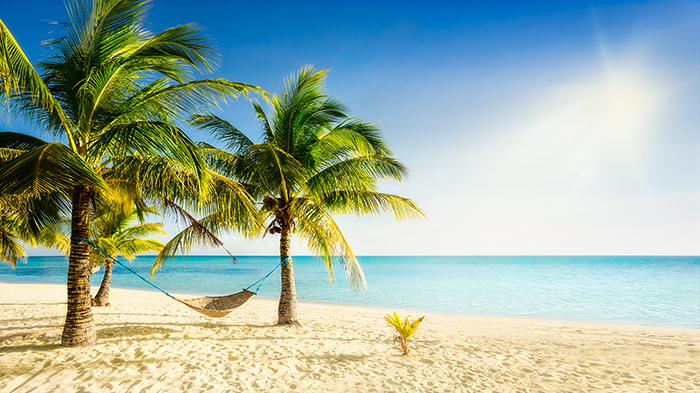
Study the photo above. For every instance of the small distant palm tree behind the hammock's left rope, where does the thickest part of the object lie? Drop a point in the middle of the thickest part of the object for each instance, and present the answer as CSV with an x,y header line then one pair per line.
x,y
115,233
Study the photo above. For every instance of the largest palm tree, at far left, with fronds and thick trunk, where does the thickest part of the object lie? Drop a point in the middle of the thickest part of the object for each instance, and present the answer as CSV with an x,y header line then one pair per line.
x,y
111,89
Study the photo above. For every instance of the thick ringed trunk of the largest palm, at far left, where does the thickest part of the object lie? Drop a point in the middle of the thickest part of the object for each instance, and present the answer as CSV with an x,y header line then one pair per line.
x,y
79,329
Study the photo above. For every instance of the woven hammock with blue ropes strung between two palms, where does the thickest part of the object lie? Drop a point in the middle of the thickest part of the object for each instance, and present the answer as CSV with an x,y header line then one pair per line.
x,y
211,306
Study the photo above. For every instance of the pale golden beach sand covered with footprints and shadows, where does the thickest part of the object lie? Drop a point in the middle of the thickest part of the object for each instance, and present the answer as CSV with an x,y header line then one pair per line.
x,y
149,343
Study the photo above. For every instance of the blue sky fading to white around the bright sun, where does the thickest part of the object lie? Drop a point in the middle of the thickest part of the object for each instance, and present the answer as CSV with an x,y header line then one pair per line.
x,y
530,128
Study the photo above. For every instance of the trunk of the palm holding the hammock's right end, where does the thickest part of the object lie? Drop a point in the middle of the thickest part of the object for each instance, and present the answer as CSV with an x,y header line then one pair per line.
x,y
287,309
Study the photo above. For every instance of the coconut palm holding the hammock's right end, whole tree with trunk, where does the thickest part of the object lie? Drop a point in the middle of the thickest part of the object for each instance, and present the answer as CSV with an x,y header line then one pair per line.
x,y
314,161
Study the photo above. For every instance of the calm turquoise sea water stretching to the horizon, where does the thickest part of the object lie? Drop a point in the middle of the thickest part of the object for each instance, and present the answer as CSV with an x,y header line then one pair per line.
x,y
658,291
